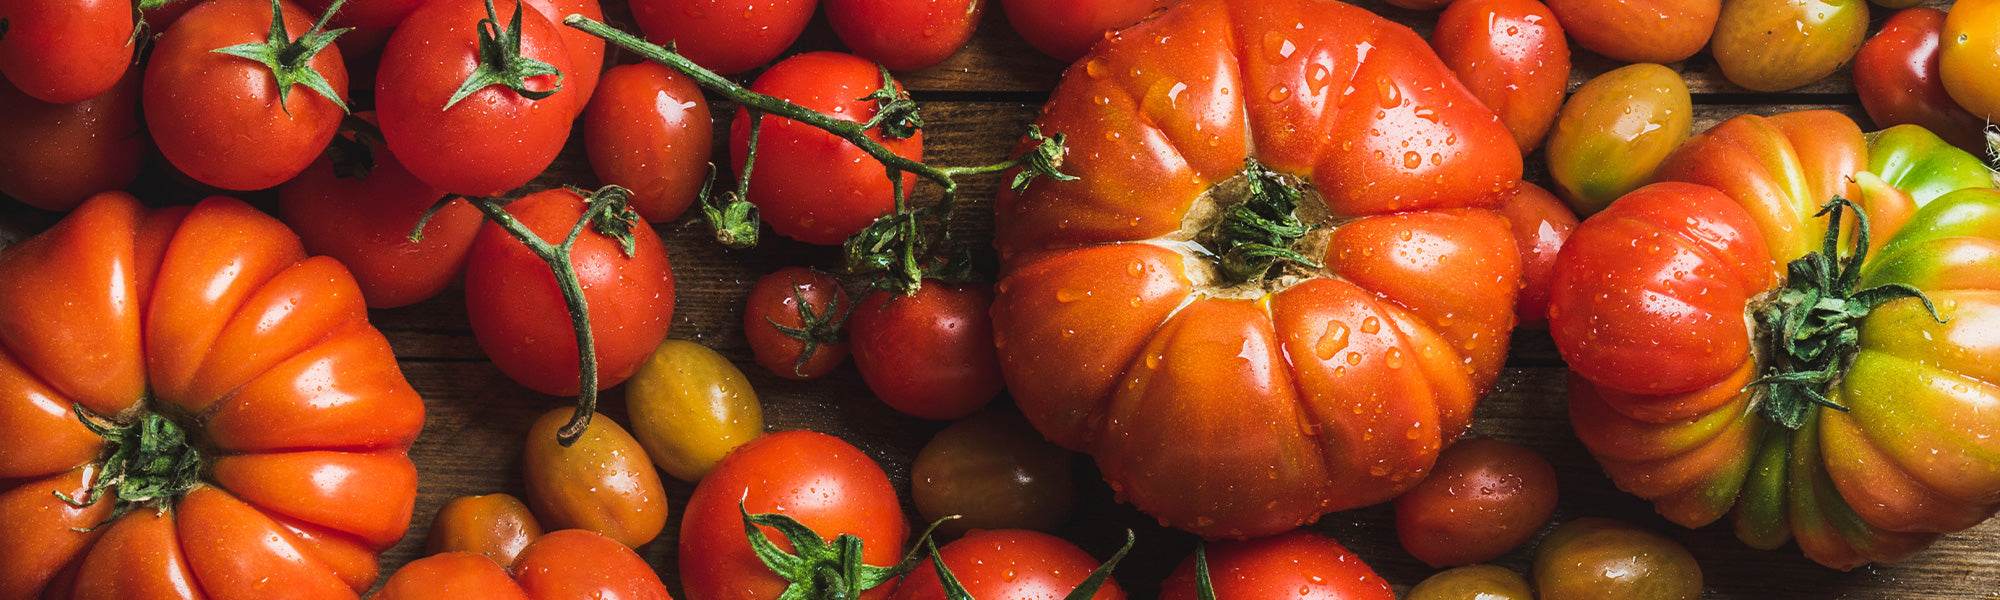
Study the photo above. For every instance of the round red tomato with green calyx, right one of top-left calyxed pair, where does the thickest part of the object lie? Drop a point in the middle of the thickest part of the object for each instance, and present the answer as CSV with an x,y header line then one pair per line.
x,y
489,143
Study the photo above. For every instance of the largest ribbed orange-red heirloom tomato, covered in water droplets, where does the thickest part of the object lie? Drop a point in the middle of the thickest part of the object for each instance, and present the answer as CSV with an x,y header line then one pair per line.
x,y
1277,285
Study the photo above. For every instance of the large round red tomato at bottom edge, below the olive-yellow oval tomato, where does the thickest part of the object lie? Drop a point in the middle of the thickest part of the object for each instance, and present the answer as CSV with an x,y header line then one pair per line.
x,y
817,479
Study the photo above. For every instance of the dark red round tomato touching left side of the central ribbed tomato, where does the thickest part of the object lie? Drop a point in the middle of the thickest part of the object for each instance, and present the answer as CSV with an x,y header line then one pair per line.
x,y
929,355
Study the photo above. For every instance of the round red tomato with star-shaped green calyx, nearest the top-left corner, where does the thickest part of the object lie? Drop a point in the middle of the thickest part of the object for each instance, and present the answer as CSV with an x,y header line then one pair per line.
x,y
235,107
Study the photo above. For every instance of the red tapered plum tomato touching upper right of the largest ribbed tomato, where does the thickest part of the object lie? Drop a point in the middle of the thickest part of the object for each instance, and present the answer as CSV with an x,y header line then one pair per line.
x,y
1513,57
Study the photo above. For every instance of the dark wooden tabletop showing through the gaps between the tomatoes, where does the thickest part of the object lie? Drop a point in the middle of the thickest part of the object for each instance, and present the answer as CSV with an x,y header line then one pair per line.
x,y
975,107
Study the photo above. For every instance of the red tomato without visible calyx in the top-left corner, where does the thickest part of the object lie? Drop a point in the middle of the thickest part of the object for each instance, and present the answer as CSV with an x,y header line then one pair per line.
x,y
67,51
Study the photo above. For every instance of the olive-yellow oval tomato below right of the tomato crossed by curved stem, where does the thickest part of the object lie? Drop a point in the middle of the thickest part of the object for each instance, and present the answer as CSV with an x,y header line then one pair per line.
x,y
691,407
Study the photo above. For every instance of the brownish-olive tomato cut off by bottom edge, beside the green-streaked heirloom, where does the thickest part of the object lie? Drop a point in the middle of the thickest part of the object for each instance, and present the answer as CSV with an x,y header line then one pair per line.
x,y
1593,559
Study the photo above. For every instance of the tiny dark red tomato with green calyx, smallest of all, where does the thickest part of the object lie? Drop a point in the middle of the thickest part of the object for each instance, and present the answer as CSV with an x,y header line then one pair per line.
x,y
793,321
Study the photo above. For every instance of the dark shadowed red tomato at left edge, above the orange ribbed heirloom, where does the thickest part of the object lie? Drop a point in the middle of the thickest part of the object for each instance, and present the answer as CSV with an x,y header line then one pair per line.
x,y
59,155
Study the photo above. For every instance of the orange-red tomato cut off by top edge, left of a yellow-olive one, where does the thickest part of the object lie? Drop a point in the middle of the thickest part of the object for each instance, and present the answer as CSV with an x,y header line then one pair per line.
x,y
1667,31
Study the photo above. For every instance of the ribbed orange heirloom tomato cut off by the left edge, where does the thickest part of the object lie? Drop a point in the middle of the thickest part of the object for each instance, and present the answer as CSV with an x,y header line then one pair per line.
x,y
119,327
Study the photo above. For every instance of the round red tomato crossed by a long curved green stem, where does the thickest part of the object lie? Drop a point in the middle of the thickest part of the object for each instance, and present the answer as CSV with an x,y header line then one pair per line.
x,y
521,319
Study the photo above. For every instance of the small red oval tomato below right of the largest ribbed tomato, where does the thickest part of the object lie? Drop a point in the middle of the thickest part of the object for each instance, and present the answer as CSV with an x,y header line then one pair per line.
x,y
1481,501
